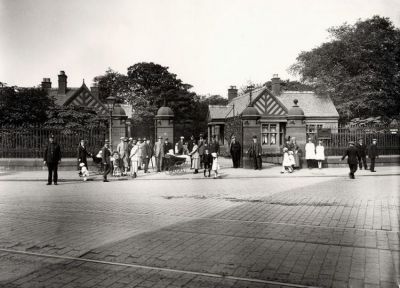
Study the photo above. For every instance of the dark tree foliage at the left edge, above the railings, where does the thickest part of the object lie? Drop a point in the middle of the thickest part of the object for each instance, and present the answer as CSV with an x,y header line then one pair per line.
x,y
23,106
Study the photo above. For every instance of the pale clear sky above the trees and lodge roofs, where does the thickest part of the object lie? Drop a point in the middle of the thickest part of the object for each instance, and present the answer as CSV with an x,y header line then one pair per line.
x,y
210,44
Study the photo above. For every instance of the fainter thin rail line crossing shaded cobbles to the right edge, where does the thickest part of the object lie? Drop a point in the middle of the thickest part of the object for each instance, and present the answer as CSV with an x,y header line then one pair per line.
x,y
283,239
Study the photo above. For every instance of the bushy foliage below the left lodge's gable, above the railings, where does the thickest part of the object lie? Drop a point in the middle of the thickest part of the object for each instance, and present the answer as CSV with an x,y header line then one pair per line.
x,y
73,118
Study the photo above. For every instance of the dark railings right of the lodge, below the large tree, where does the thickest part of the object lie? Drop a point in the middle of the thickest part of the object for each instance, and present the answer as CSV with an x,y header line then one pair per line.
x,y
388,142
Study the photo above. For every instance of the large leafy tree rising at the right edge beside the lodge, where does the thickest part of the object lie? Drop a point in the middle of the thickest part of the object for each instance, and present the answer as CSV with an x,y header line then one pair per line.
x,y
359,68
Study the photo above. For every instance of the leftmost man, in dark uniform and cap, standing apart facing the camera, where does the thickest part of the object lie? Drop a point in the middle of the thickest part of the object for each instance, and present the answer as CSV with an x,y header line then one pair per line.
x,y
51,158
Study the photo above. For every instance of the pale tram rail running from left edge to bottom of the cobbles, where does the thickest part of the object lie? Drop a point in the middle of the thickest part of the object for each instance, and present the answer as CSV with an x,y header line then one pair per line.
x,y
212,275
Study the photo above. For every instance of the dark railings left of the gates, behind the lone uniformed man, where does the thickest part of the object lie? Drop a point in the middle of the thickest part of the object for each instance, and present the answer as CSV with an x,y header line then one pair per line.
x,y
17,142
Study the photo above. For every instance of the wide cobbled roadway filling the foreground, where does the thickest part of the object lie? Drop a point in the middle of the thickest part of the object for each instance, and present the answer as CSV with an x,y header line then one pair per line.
x,y
247,232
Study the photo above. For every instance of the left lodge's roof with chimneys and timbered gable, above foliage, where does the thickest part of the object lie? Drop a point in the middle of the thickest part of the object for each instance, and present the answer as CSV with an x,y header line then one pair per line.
x,y
78,96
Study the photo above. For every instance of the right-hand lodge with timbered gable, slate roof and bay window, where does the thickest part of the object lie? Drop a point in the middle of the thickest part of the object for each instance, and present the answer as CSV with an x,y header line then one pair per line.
x,y
272,108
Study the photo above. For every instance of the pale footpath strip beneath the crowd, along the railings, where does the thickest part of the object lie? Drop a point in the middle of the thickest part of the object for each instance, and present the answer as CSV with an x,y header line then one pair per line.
x,y
226,172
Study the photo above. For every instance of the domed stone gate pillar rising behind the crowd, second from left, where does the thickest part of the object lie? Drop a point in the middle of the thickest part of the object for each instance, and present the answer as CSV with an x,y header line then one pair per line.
x,y
164,124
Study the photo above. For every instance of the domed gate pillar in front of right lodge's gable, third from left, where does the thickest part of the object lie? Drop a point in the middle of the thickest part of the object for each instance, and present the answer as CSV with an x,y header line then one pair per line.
x,y
250,128
